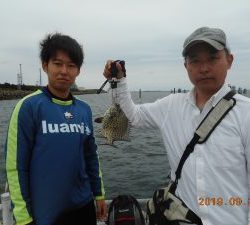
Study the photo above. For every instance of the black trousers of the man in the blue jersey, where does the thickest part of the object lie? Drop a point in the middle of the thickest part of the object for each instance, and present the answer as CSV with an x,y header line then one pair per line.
x,y
85,215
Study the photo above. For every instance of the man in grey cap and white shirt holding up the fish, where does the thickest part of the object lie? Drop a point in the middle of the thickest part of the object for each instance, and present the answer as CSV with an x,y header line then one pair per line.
x,y
215,180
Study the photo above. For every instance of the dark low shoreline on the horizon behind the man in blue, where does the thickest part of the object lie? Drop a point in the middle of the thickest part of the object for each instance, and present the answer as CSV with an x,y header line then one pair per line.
x,y
10,94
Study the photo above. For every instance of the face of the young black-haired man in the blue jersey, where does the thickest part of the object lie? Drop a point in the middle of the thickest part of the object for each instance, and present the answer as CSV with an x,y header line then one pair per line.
x,y
61,72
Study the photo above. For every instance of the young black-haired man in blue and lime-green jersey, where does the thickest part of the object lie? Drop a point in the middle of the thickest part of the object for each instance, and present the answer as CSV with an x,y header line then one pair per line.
x,y
52,163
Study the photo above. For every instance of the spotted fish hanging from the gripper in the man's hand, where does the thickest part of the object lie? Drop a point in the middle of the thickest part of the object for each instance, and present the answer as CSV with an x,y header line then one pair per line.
x,y
115,125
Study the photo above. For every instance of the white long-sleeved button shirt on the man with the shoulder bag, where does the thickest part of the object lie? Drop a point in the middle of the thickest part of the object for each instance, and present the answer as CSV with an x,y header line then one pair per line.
x,y
216,176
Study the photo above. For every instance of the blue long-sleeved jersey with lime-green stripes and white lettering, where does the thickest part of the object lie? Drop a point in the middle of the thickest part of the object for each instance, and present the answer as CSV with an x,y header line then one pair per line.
x,y
51,158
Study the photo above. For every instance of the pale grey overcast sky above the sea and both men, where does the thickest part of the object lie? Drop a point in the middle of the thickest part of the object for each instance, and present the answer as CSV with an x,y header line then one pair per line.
x,y
147,34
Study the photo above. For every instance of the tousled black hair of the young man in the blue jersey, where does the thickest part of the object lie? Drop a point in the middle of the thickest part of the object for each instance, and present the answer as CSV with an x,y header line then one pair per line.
x,y
53,43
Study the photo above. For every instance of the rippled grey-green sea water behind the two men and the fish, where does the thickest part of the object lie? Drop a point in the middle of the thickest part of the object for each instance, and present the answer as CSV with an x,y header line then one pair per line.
x,y
136,167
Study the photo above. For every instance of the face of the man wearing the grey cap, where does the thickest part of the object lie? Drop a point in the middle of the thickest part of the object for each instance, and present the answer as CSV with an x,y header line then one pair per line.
x,y
207,68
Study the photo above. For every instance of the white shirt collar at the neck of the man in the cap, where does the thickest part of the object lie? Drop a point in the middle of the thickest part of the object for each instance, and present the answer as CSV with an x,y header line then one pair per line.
x,y
214,99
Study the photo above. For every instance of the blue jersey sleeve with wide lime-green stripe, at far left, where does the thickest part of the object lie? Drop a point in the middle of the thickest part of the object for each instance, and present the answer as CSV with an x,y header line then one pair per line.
x,y
18,153
